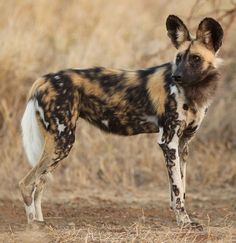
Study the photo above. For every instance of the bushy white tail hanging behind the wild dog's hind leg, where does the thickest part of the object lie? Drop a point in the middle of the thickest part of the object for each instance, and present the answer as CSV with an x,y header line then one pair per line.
x,y
33,140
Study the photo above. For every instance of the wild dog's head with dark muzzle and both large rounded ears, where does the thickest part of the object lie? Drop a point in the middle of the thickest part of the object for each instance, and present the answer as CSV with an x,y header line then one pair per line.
x,y
196,59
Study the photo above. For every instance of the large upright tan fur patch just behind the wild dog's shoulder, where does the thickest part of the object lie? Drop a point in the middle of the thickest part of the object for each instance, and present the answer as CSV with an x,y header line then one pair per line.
x,y
157,91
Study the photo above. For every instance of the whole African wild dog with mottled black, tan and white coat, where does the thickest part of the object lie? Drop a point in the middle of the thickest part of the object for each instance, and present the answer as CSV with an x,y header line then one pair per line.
x,y
170,100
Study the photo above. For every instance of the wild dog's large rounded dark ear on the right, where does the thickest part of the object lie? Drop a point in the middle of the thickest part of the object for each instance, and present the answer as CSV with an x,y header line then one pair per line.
x,y
210,33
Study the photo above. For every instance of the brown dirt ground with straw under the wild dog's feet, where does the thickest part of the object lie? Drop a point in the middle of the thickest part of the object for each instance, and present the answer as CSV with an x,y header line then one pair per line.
x,y
143,216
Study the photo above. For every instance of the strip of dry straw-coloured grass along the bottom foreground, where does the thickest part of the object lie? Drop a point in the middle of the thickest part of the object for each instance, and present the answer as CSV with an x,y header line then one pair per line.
x,y
135,233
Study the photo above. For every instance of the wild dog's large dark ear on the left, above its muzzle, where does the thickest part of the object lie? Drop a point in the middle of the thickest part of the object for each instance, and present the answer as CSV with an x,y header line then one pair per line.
x,y
177,30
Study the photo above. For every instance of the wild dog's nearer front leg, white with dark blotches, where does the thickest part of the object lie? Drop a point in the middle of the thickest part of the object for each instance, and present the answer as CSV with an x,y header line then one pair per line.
x,y
171,153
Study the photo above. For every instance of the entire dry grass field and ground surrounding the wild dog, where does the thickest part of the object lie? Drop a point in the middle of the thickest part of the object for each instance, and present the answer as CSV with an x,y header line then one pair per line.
x,y
110,188
